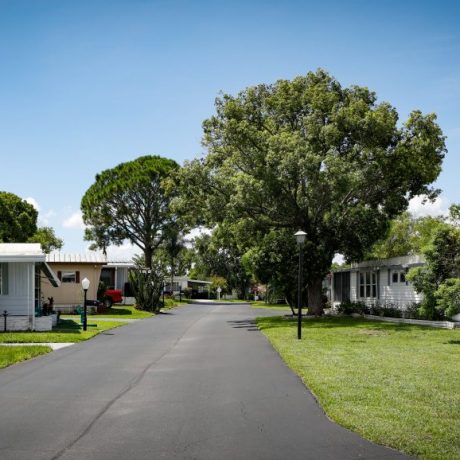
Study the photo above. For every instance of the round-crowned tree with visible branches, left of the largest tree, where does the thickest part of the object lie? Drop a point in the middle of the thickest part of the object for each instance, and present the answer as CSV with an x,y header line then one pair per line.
x,y
131,202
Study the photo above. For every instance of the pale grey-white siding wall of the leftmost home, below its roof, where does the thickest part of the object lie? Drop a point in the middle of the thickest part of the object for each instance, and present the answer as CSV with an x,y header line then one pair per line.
x,y
20,297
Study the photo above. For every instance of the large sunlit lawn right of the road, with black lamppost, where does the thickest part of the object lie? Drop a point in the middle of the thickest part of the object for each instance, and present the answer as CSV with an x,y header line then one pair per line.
x,y
396,385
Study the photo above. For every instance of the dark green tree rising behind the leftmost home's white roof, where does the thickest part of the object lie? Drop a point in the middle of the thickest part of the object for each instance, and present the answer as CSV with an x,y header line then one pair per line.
x,y
18,219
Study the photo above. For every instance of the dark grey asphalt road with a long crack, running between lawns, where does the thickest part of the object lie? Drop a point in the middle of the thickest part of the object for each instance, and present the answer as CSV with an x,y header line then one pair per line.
x,y
198,383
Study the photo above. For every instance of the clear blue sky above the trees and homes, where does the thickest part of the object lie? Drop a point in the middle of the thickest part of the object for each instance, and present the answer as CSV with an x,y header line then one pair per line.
x,y
85,85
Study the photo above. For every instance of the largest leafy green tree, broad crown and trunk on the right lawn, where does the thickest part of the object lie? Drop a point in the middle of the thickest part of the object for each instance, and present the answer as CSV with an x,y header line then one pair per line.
x,y
310,154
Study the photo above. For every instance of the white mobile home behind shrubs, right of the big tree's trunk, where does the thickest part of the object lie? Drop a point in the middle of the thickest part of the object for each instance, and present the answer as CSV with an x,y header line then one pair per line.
x,y
376,282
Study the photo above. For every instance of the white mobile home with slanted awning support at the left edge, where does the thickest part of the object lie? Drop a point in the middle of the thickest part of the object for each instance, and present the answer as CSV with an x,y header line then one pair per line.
x,y
22,266
